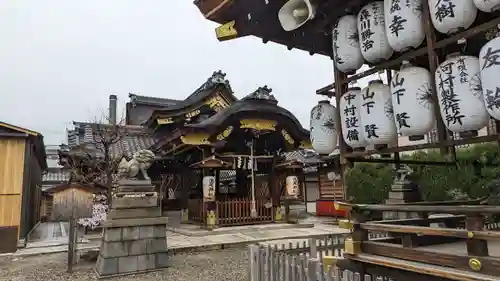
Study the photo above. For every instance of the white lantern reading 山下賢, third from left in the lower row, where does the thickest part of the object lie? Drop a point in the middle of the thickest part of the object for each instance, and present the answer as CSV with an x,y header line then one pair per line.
x,y
377,116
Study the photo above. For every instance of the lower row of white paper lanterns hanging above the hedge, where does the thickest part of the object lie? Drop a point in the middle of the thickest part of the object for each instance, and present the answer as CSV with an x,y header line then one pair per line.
x,y
468,90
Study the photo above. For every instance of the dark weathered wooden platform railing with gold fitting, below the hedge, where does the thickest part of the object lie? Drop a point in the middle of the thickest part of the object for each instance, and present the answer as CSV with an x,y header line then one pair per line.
x,y
455,249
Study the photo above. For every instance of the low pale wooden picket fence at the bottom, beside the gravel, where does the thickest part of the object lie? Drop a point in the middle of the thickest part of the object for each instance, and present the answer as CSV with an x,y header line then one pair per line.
x,y
307,261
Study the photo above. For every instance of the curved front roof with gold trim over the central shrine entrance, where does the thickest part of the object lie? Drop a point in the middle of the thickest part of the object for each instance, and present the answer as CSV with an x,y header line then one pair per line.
x,y
259,104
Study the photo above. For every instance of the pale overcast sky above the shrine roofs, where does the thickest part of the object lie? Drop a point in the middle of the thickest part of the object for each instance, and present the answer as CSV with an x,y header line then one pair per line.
x,y
59,60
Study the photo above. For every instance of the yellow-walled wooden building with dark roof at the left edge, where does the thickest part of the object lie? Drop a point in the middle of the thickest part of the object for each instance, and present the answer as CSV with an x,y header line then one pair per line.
x,y
22,162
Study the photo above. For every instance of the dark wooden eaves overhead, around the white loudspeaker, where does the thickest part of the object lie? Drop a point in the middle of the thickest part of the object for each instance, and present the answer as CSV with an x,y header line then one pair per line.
x,y
259,18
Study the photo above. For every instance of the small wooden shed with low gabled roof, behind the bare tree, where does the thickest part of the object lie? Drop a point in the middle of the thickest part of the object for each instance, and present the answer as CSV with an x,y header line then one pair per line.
x,y
72,199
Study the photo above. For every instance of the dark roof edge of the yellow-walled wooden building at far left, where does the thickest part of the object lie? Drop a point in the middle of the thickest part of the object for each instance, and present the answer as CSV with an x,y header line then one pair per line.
x,y
9,130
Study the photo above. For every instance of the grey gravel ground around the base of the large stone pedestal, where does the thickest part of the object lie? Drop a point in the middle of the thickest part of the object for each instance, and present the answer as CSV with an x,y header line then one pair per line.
x,y
221,265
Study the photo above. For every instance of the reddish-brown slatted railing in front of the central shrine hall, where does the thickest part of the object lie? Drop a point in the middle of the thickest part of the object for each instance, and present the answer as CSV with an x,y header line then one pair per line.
x,y
238,212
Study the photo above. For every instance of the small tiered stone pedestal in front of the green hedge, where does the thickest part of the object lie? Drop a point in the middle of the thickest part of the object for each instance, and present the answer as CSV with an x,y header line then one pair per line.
x,y
403,190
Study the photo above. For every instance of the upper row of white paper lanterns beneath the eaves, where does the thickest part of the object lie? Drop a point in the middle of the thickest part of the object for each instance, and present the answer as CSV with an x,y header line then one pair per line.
x,y
382,27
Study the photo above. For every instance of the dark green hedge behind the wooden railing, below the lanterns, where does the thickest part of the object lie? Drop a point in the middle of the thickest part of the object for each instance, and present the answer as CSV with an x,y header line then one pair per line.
x,y
369,183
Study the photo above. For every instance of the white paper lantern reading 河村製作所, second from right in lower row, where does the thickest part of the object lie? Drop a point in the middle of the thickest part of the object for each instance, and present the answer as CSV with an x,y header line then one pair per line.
x,y
460,94
